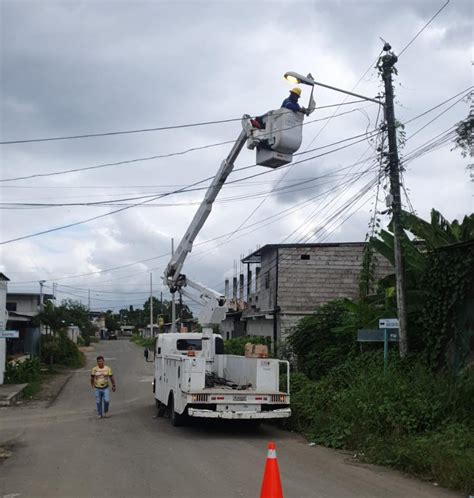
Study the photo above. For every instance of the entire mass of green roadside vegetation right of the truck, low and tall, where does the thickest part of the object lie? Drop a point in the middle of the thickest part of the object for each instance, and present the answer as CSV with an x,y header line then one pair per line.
x,y
416,414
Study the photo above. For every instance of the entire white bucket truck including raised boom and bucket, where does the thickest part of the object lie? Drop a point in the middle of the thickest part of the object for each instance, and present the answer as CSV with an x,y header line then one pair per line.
x,y
193,377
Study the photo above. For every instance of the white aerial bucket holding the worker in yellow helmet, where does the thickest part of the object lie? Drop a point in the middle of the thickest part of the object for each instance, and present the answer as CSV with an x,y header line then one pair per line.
x,y
278,138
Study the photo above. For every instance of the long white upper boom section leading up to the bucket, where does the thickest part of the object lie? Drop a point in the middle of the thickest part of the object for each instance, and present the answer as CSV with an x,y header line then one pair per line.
x,y
173,277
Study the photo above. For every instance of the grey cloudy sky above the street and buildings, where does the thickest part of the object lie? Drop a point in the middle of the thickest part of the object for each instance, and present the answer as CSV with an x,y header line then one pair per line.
x,y
85,67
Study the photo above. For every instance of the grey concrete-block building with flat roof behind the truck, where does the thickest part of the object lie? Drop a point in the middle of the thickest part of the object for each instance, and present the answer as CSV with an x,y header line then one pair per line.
x,y
286,282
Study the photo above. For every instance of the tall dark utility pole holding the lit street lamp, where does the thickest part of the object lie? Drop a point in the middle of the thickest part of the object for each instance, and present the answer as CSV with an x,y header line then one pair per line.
x,y
389,60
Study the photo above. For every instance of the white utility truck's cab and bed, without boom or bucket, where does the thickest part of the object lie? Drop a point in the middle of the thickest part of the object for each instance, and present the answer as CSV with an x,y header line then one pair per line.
x,y
196,381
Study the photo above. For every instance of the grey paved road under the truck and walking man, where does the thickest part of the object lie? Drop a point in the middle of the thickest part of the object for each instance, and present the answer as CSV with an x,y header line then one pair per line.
x,y
64,451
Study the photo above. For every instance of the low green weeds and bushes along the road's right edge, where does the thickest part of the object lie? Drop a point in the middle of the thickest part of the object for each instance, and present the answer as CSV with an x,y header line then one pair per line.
x,y
408,416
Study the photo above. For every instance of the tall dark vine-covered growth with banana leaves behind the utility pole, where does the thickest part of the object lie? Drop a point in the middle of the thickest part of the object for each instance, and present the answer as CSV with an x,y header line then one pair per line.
x,y
439,277
